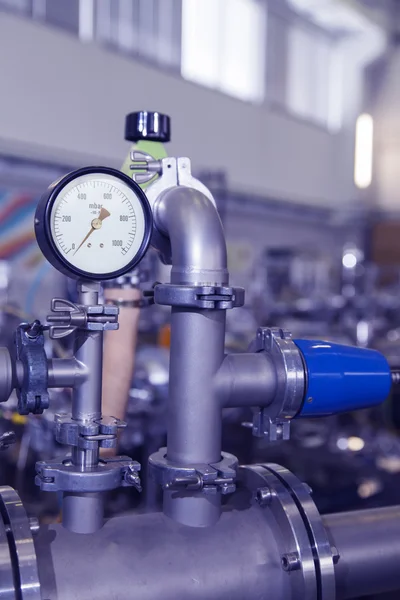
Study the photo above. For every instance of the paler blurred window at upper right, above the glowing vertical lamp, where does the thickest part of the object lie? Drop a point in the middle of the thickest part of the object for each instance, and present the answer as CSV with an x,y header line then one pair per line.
x,y
309,75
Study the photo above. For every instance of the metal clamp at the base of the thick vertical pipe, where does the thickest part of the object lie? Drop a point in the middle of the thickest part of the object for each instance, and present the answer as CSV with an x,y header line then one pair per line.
x,y
209,479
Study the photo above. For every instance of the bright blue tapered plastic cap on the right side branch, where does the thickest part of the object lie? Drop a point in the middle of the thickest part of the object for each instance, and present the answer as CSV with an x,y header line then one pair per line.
x,y
342,378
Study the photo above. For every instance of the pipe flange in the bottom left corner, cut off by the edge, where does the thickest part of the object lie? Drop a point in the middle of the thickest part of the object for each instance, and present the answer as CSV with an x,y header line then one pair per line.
x,y
19,577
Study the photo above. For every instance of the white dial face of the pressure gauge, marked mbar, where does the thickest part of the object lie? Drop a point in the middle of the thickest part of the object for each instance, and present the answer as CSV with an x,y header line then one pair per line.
x,y
97,223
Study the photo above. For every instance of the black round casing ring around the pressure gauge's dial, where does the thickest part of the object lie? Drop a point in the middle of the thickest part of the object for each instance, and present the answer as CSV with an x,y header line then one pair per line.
x,y
44,228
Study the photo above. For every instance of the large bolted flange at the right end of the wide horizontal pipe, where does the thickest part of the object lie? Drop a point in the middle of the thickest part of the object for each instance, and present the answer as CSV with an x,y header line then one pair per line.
x,y
305,550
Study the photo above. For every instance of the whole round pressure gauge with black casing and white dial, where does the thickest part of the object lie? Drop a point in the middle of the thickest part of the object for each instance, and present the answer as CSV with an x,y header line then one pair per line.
x,y
94,223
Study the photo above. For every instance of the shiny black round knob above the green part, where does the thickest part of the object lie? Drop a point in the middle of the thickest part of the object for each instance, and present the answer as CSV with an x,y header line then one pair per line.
x,y
146,125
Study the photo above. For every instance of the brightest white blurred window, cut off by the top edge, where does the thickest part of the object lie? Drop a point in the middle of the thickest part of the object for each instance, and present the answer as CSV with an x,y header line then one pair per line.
x,y
223,46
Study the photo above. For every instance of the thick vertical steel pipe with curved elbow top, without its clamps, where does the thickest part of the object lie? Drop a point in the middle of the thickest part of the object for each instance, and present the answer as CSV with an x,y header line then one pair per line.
x,y
191,223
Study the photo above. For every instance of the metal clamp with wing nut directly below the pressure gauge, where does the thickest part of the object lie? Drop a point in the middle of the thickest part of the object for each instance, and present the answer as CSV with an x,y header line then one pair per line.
x,y
67,317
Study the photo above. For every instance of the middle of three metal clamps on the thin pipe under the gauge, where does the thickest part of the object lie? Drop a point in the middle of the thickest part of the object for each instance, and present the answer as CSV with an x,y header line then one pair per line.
x,y
100,433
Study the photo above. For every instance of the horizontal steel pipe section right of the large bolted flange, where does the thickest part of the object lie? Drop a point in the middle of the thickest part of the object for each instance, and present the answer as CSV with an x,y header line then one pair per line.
x,y
368,543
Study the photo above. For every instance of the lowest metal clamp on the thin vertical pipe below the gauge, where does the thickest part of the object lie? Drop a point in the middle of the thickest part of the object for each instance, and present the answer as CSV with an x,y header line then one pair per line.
x,y
110,473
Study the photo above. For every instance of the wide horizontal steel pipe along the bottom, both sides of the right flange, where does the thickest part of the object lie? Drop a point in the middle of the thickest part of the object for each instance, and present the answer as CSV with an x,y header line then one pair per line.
x,y
150,557
